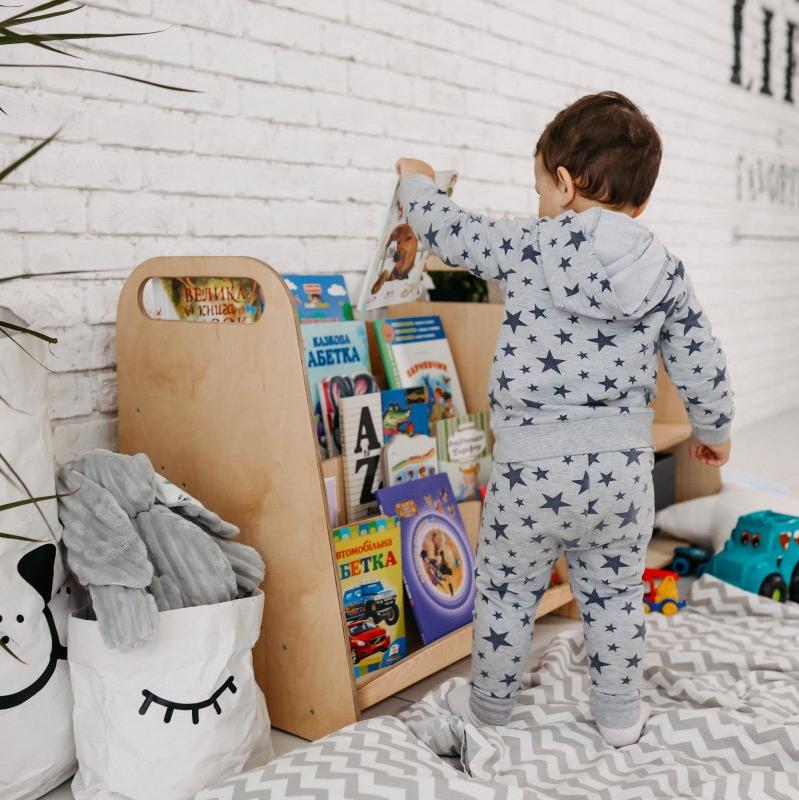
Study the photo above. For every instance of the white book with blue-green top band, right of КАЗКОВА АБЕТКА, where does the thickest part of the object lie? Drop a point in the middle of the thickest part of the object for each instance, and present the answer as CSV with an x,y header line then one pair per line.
x,y
415,352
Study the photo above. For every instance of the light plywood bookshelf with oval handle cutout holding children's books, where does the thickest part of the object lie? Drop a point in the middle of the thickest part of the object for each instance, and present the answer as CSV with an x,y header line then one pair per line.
x,y
224,411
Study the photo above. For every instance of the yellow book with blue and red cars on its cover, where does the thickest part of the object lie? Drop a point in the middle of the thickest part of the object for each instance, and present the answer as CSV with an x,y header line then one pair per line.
x,y
369,561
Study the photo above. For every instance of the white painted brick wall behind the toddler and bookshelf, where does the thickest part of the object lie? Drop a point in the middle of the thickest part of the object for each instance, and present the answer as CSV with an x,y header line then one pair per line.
x,y
286,154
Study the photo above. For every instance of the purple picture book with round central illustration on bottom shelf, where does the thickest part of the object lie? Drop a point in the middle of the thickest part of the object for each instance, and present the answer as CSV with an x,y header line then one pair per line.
x,y
437,559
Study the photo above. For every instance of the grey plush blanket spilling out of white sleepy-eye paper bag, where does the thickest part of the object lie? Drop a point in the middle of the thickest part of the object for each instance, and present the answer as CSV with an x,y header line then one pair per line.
x,y
139,545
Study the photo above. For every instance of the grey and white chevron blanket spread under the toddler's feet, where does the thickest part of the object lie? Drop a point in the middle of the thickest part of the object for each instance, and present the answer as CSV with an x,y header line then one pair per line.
x,y
722,678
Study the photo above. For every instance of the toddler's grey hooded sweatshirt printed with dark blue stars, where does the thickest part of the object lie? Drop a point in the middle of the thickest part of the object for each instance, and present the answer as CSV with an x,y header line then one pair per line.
x,y
590,300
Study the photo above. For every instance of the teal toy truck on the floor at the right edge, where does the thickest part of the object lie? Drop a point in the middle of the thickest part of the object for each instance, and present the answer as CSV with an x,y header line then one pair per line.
x,y
761,556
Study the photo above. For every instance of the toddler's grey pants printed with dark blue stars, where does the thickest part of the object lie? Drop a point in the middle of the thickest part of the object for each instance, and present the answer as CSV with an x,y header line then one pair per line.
x,y
599,509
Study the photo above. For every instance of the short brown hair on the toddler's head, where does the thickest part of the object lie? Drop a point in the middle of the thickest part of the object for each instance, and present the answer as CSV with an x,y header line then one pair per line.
x,y
610,148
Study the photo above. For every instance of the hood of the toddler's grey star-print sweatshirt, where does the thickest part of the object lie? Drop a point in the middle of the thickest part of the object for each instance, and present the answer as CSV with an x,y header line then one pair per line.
x,y
603,264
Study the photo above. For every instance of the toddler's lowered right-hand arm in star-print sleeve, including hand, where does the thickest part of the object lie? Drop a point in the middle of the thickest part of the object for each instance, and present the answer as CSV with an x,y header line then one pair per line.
x,y
697,365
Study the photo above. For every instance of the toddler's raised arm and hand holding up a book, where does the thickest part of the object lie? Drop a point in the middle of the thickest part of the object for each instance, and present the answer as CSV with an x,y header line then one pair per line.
x,y
458,237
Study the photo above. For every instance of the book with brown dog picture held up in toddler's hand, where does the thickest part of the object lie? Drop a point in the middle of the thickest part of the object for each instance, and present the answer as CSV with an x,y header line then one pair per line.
x,y
395,274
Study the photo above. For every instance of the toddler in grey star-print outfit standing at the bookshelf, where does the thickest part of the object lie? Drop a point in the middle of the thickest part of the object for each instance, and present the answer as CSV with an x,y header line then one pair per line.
x,y
591,298
